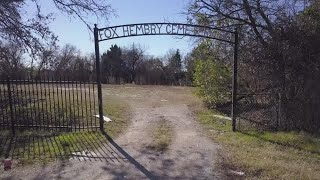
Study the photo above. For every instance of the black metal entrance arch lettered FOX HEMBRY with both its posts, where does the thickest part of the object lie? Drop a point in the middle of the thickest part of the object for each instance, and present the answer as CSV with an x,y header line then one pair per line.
x,y
148,29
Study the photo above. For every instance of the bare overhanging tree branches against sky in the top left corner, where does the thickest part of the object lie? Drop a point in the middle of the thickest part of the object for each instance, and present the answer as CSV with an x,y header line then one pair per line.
x,y
33,33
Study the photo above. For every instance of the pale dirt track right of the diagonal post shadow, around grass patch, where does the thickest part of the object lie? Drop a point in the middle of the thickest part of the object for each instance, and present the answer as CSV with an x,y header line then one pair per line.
x,y
191,155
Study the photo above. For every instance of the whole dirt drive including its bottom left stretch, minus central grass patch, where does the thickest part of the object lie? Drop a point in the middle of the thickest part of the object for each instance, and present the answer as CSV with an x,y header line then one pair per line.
x,y
190,156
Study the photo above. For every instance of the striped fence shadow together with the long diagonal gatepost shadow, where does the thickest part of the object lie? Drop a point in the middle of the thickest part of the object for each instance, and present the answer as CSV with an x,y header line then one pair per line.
x,y
84,147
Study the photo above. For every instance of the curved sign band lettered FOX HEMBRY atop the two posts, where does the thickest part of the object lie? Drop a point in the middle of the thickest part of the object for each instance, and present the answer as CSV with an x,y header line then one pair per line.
x,y
143,29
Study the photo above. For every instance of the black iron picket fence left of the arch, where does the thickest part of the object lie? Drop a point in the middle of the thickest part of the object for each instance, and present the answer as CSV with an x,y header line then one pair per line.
x,y
47,104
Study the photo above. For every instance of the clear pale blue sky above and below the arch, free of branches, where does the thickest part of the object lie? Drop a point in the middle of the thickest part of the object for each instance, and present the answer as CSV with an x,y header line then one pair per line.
x,y
75,32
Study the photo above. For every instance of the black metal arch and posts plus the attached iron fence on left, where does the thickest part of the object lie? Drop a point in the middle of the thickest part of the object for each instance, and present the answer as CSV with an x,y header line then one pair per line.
x,y
69,104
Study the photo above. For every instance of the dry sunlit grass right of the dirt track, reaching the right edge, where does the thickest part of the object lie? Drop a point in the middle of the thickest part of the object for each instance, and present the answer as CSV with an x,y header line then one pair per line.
x,y
264,155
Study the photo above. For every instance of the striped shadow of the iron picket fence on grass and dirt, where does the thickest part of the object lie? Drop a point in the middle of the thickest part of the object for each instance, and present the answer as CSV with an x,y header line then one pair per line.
x,y
81,146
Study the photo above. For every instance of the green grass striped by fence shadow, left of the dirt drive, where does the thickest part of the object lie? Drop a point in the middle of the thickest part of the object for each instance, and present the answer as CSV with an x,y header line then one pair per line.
x,y
31,148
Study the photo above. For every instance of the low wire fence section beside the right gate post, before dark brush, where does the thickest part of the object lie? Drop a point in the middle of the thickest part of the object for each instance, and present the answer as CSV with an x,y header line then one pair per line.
x,y
258,111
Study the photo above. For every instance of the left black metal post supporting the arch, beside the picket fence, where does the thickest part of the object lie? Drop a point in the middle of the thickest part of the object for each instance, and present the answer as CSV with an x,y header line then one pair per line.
x,y
98,71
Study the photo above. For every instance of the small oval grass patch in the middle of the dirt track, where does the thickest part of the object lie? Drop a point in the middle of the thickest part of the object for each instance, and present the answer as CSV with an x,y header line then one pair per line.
x,y
162,134
